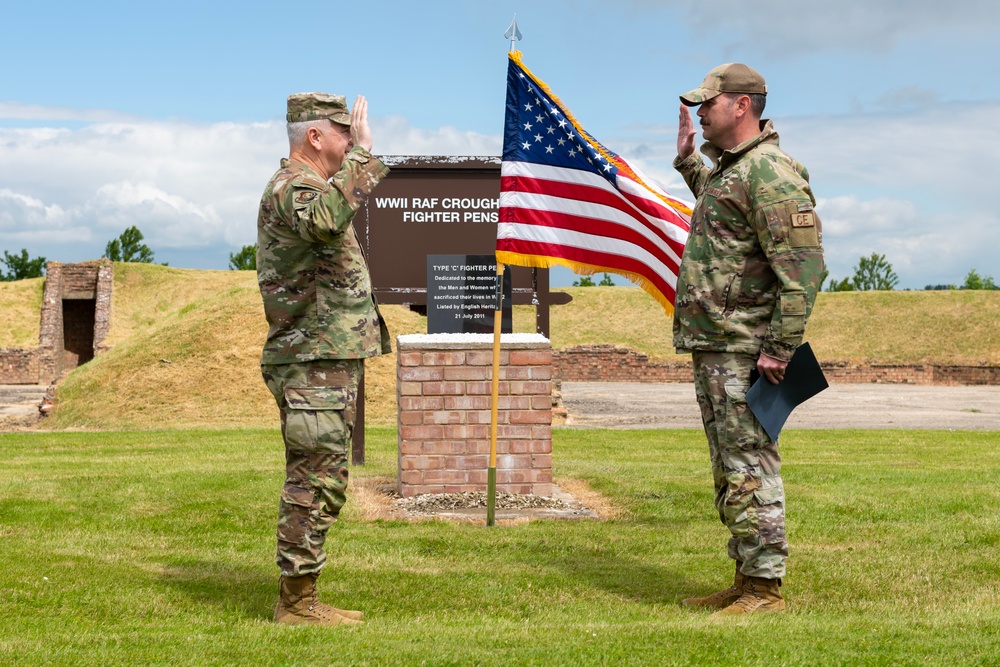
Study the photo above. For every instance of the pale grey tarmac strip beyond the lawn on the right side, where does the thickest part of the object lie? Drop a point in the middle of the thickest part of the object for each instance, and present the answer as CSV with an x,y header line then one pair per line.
x,y
866,406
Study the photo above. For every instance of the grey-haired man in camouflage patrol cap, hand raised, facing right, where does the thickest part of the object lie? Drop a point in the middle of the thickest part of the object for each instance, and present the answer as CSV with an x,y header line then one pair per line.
x,y
323,322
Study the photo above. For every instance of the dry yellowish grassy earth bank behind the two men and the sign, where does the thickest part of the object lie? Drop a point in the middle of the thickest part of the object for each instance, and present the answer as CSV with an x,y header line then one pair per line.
x,y
185,344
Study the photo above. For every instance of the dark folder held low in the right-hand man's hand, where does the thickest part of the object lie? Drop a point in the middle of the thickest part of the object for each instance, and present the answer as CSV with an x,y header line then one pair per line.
x,y
772,403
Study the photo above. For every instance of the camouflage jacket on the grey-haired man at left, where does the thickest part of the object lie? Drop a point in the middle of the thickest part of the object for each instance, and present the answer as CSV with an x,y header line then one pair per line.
x,y
311,270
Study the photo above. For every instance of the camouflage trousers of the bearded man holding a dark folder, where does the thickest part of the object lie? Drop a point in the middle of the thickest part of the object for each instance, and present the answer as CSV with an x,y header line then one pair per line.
x,y
746,467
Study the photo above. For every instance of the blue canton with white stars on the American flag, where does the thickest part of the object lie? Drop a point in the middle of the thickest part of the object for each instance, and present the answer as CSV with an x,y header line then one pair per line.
x,y
536,130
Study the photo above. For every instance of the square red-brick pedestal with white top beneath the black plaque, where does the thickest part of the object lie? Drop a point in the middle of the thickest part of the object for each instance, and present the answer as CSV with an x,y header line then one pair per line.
x,y
443,391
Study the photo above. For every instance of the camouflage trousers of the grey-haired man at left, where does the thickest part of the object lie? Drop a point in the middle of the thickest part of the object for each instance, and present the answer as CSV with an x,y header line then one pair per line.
x,y
317,401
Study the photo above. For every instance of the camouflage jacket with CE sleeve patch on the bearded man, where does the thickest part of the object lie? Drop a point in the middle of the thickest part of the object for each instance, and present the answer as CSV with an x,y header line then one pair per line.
x,y
753,260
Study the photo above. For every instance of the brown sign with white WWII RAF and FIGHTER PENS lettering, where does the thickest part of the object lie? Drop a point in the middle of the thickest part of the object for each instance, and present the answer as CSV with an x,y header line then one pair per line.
x,y
439,205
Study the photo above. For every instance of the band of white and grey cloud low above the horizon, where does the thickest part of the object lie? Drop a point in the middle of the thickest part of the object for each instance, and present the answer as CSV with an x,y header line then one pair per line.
x,y
905,185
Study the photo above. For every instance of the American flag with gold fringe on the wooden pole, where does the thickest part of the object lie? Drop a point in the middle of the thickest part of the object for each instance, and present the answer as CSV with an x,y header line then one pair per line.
x,y
567,200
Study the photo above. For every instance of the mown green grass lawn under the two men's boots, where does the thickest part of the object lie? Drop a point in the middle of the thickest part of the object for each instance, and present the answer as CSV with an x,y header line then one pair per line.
x,y
156,547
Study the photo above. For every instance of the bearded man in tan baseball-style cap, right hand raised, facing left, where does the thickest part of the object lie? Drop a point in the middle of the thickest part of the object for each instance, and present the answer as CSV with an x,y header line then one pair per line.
x,y
746,285
